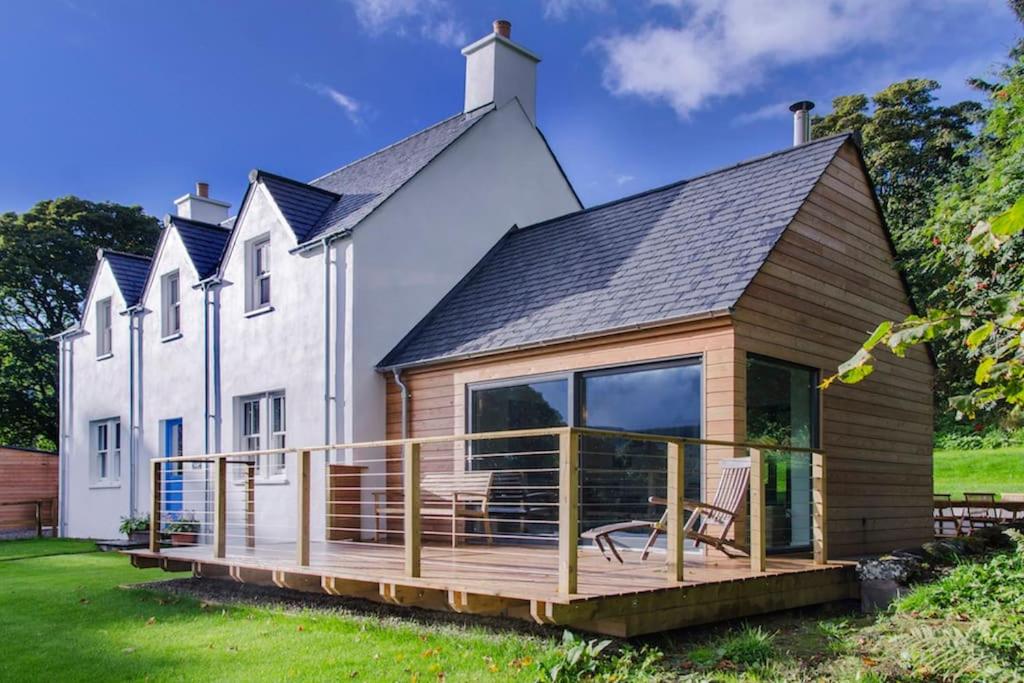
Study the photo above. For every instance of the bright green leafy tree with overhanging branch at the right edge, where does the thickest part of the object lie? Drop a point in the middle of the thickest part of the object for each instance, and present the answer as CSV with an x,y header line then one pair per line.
x,y
975,245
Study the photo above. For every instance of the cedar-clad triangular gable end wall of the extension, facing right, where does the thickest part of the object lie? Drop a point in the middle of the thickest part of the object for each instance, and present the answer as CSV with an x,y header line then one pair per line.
x,y
830,281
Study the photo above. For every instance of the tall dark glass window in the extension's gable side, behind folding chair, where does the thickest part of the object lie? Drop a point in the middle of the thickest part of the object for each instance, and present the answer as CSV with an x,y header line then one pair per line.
x,y
783,409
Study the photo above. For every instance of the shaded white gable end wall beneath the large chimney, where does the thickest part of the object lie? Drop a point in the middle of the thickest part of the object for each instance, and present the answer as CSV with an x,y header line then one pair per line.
x,y
417,246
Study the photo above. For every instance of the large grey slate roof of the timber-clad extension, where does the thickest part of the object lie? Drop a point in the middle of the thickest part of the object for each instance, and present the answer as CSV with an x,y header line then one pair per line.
x,y
688,249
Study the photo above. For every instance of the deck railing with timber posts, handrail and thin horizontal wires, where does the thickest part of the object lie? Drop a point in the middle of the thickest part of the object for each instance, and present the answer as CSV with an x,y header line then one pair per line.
x,y
201,489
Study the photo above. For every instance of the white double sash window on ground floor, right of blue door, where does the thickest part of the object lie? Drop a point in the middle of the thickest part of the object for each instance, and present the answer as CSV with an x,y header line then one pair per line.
x,y
261,423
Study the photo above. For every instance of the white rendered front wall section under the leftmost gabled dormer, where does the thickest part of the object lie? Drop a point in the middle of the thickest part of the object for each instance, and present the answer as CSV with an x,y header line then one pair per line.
x,y
101,392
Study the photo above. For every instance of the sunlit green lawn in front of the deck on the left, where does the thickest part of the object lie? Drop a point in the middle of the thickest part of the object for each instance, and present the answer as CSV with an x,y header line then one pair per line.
x,y
65,618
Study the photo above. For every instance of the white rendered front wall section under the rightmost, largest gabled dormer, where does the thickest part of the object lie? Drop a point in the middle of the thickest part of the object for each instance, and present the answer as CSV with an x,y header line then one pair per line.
x,y
278,351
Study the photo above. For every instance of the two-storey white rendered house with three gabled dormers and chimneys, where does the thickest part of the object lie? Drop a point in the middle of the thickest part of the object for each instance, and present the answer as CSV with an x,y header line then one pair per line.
x,y
266,330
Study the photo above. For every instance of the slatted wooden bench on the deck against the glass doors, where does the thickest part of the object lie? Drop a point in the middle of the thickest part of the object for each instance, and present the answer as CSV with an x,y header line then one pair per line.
x,y
456,496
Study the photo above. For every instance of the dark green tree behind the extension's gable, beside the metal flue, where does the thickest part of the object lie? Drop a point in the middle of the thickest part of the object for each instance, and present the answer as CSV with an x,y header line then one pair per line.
x,y
913,147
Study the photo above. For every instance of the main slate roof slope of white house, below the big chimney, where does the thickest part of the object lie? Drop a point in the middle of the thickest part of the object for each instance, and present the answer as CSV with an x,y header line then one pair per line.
x,y
366,184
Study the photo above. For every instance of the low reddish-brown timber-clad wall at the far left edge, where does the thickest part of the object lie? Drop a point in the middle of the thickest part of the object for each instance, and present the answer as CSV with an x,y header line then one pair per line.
x,y
26,476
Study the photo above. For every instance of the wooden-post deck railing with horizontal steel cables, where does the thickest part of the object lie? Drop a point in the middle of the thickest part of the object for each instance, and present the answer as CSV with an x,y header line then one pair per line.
x,y
396,504
